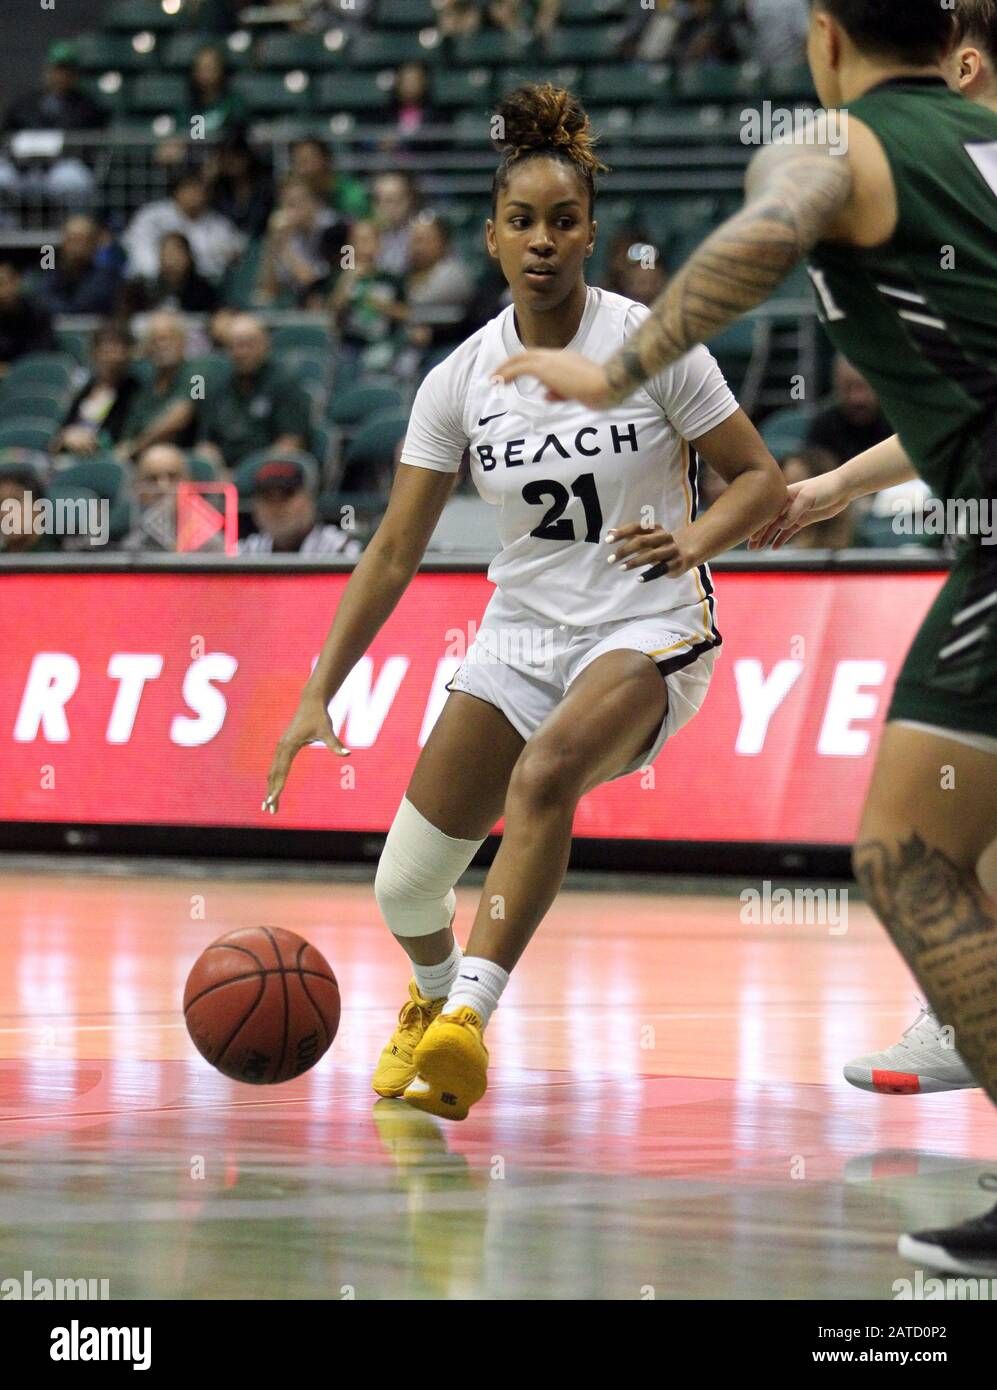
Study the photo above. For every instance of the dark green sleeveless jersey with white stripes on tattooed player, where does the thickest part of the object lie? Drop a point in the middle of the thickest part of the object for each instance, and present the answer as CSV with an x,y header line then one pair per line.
x,y
918,316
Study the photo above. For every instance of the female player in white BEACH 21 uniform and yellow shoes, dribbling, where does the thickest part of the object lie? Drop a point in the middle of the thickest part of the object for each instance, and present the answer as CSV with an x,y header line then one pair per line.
x,y
590,655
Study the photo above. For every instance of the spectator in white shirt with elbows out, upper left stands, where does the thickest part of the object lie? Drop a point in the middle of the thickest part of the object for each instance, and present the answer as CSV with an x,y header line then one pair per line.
x,y
213,240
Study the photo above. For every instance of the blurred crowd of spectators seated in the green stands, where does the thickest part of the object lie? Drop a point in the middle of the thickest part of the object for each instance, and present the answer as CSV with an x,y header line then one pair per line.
x,y
366,254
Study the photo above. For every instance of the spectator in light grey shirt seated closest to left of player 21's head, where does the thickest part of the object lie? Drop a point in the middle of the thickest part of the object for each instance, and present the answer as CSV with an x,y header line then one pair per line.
x,y
440,287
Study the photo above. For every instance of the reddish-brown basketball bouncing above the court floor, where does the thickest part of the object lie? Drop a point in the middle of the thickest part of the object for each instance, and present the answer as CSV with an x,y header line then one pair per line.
x,y
262,1006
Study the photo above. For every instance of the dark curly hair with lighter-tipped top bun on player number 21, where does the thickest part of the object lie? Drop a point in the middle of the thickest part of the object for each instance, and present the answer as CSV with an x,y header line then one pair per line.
x,y
546,123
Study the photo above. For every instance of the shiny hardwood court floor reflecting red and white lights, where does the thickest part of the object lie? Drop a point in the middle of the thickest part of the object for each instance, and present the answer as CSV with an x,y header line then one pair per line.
x,y
665,1113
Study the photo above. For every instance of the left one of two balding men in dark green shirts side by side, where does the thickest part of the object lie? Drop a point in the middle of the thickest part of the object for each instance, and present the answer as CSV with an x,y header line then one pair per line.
x,y
165,409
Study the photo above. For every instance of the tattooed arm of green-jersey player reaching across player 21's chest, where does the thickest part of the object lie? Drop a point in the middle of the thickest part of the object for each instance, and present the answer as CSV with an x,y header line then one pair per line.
x,y
796,197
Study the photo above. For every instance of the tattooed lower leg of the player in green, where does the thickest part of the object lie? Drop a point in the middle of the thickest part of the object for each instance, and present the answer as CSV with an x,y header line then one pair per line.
x,y
945,926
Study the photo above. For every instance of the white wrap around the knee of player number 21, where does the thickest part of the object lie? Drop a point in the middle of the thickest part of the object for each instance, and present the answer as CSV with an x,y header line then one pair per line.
x,y
416,874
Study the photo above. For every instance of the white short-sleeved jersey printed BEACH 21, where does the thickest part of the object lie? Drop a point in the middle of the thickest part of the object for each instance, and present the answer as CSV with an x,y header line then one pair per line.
x,y
562,475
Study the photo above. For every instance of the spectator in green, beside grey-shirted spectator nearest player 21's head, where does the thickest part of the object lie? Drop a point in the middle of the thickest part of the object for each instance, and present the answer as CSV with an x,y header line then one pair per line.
x,y
362,302
